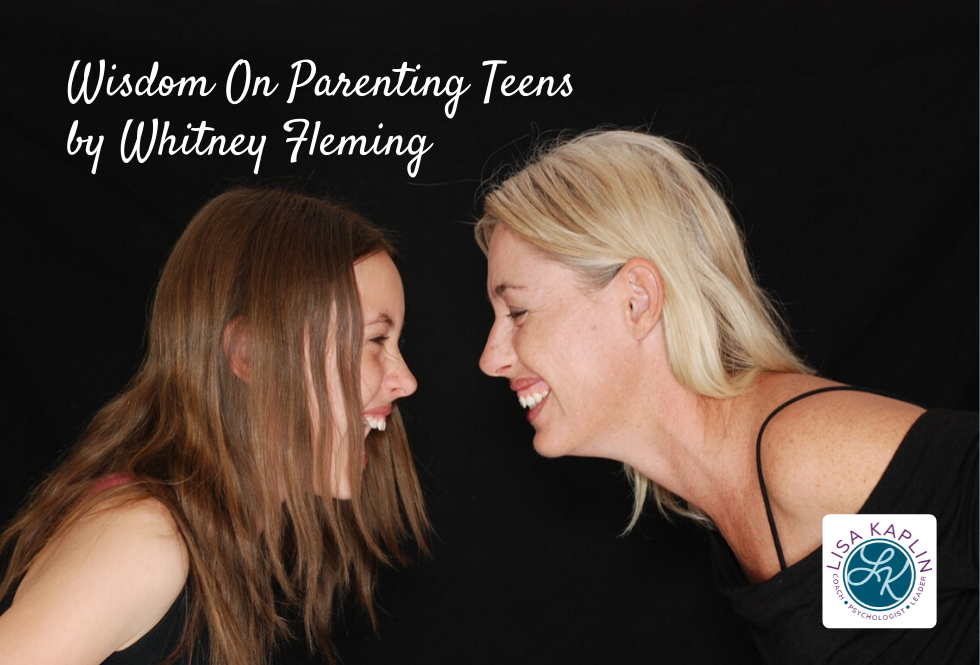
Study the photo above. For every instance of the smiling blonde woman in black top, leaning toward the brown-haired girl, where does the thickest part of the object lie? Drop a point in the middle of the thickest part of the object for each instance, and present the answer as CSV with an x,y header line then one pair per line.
x,y
628,323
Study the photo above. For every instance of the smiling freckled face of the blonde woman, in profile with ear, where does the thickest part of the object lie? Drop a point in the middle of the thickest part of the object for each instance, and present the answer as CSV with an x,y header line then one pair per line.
x,y
559,345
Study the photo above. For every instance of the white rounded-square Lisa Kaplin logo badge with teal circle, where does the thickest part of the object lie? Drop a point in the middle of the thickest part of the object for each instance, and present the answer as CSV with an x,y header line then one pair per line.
x,y
879,571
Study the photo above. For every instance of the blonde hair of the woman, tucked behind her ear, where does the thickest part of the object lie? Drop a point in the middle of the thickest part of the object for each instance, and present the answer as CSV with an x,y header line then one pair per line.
x,y
599,199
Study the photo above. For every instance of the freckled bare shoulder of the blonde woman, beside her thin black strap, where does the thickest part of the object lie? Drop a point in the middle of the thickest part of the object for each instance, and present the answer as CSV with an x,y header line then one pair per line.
x,y
825,454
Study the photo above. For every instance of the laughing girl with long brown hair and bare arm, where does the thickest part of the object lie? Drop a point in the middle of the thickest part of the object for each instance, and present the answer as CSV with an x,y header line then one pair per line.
x,y
259,447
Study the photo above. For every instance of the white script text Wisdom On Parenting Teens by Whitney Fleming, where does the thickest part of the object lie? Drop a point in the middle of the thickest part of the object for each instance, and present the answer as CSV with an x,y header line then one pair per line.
x,y
147,138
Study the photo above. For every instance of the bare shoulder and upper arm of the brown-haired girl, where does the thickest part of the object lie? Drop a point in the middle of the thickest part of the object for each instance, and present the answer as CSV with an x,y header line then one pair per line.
x,y
97,587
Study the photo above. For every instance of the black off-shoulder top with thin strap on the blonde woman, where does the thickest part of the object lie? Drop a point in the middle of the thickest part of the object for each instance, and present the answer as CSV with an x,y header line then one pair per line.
x,y
934,471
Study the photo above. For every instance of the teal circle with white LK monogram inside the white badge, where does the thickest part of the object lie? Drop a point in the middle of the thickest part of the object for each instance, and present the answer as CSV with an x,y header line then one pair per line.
x,y
879,574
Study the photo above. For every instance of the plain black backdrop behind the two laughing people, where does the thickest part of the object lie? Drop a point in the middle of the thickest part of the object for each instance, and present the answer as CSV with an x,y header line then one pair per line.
x,y
847,137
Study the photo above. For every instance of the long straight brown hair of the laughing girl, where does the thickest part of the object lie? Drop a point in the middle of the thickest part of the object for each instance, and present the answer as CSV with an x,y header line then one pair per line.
x,y
233,460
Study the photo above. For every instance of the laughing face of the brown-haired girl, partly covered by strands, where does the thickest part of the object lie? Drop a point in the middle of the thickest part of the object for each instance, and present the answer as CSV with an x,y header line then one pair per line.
x,y
384,375
